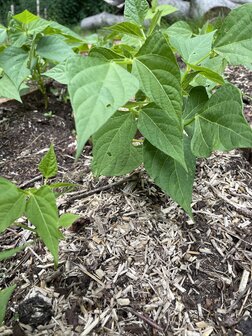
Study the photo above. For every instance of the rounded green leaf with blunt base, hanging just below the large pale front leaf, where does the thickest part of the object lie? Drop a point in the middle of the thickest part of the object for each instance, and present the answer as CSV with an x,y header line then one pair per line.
x,y
113,152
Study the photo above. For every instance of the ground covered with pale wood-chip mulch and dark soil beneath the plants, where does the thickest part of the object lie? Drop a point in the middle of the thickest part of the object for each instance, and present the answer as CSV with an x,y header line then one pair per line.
x,y
133,264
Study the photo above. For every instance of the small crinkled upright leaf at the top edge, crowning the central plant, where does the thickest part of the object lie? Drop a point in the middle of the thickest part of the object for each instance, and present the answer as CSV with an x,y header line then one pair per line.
x,y
136,10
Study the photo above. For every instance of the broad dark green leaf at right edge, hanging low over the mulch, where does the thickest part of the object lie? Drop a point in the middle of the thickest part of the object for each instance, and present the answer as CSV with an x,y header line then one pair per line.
x,y
221,124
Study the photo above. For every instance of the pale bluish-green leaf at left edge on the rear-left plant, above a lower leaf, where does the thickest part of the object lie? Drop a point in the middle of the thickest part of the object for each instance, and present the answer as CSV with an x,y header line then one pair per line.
x,y
14,60
